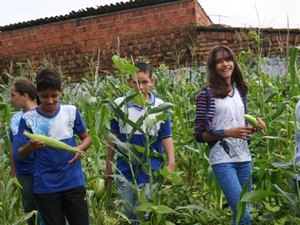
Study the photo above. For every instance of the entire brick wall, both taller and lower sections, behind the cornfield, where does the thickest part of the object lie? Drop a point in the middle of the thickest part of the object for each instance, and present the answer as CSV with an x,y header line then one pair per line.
x,y
169,33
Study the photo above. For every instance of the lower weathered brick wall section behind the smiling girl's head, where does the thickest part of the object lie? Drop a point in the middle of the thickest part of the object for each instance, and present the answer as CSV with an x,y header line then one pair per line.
x,y
273,42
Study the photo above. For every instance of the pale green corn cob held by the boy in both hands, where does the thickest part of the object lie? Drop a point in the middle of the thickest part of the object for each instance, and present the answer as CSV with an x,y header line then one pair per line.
x,y
53,143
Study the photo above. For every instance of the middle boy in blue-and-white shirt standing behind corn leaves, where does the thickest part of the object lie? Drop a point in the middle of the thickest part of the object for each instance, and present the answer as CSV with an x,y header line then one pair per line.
x,y
142,83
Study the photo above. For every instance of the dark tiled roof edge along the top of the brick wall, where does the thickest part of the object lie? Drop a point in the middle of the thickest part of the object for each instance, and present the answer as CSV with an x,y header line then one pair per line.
x,y
100,10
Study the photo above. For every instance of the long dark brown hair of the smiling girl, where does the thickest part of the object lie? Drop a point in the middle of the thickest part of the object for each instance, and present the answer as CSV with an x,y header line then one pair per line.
x,y
215,82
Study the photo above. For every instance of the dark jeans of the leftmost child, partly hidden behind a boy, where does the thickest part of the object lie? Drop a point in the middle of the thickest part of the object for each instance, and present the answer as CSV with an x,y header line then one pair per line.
x,y
28,198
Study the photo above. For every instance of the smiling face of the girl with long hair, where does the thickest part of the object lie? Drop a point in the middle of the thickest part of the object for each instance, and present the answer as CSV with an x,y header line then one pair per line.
x,y
224,65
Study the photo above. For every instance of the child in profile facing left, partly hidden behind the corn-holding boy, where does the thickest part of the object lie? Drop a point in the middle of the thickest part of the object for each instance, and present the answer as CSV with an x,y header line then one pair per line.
x,y
23,95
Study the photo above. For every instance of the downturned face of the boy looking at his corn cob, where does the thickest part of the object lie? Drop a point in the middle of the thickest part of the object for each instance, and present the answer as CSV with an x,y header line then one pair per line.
x,y
49,99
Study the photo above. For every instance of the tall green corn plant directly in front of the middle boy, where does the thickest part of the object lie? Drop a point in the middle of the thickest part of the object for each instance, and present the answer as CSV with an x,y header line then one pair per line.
x,y
137,154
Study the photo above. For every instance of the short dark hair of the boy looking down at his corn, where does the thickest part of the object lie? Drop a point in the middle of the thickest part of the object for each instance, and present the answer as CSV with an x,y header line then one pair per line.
x,y
48,79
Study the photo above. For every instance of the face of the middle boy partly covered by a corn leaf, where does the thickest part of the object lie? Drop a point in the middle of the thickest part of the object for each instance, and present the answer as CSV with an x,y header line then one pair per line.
x,y
142,82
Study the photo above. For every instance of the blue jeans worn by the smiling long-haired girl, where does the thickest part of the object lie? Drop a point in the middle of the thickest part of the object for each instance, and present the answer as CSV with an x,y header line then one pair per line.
x,y
232,177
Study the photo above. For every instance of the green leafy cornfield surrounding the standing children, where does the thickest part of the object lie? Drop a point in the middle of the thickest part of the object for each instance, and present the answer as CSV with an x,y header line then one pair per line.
x,y
193,197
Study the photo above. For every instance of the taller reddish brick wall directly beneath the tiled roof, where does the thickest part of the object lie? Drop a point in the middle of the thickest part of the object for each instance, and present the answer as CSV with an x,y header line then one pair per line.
x,y
133,32
